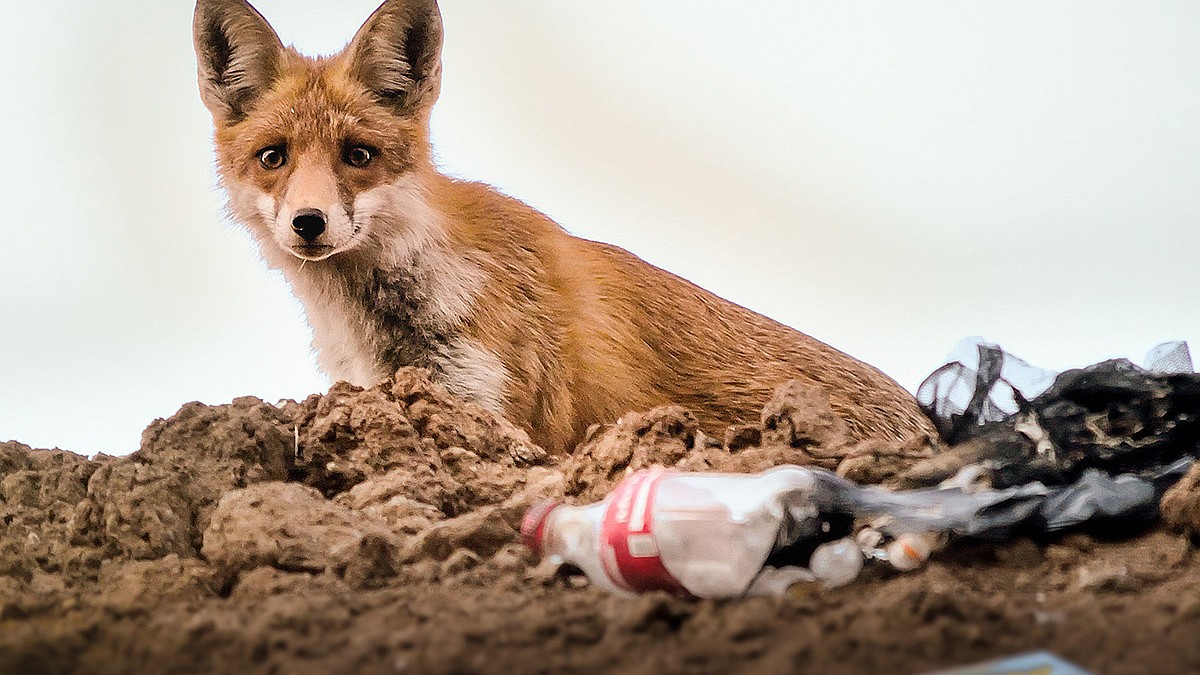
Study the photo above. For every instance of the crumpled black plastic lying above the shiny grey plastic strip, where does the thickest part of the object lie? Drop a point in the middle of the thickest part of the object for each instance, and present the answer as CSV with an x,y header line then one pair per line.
x,y
1114,417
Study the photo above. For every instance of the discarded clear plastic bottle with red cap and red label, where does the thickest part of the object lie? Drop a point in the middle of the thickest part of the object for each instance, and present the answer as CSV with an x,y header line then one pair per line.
x,y
704,535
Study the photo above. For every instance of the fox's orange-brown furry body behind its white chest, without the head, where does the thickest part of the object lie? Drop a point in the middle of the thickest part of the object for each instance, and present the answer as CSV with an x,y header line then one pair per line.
x,y
615,333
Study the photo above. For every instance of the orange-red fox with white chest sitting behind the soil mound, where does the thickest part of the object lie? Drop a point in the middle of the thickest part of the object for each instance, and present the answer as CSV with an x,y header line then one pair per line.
x,y
328,163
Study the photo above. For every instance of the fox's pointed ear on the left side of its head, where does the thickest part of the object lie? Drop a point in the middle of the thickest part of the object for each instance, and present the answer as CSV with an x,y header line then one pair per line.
x,y
238,56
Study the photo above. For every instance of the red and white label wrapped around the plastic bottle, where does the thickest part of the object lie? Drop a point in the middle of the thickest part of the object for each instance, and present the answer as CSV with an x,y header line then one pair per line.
x,y
628,549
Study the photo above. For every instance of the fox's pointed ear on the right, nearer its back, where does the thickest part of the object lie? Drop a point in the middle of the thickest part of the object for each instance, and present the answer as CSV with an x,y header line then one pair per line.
x,y
398,55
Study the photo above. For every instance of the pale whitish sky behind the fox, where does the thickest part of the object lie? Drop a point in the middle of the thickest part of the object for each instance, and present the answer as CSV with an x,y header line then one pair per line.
x,y
889,177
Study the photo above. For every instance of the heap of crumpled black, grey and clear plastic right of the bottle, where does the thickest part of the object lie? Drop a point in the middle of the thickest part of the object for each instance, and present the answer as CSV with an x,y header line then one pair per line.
x,y
1096,449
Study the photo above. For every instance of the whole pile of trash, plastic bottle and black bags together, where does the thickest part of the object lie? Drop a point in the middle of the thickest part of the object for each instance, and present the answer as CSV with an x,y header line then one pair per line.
x,y
1031,455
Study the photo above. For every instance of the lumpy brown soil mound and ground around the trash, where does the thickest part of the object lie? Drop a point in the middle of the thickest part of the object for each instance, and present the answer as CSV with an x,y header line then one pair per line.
x,y
375,531
